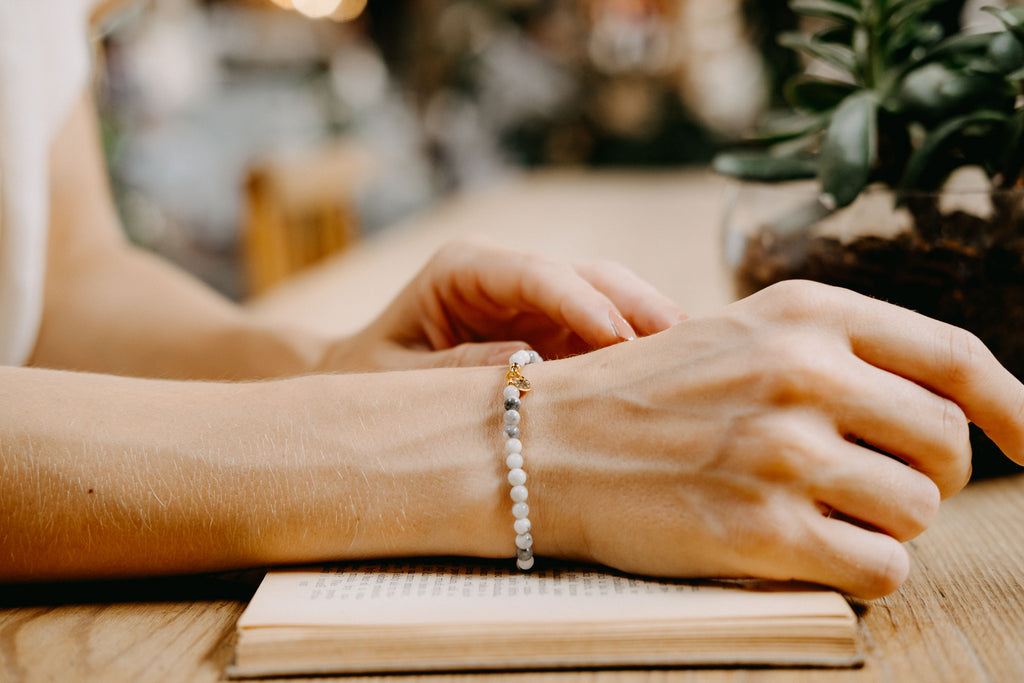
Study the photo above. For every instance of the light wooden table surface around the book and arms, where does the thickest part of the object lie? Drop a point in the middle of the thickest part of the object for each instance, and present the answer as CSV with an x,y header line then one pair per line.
x,y
960,618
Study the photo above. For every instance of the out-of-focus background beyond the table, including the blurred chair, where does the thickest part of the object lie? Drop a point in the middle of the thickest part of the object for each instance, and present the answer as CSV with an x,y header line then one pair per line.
x,y
249,139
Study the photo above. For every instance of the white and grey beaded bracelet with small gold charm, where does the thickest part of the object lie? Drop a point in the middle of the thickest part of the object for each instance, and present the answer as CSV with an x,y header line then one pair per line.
x,y
517,386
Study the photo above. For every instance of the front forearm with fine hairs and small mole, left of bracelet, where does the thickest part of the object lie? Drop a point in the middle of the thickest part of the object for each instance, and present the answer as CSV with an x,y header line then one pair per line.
x,y
109,477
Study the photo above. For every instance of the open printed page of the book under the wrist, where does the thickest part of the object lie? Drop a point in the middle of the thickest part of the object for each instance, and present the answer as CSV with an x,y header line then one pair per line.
x,y
442,593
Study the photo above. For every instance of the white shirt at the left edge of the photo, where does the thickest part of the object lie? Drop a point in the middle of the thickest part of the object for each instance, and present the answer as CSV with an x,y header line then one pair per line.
x,y
45,63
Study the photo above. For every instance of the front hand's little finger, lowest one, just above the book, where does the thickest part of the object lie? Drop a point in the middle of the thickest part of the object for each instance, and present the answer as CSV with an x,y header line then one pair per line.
x,y
859,562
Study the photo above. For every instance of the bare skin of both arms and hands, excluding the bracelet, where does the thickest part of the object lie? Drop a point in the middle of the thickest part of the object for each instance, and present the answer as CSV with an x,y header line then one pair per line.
x,y
736,445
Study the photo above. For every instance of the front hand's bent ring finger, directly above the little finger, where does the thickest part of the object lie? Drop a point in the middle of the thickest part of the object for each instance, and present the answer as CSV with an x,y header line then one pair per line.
x,y
877,491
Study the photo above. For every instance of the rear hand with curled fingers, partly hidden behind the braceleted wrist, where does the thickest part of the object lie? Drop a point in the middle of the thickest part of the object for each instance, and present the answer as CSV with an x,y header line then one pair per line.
x,y
476,304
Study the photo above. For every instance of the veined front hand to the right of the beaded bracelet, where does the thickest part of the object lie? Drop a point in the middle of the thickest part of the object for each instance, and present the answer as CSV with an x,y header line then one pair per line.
x,y
736,445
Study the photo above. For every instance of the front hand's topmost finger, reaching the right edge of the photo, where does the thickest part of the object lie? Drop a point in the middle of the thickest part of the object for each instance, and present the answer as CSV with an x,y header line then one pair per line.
x,y
947,360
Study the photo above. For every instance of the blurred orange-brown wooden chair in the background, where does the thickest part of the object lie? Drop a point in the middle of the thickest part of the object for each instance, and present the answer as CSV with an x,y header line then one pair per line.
x,y
300,209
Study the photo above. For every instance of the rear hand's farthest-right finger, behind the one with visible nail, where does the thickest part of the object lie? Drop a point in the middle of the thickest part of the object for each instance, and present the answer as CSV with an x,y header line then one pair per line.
x,y
639,302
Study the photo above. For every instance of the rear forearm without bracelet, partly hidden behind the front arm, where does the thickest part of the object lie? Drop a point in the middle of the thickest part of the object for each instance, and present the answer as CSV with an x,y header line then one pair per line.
x,y
120,311
